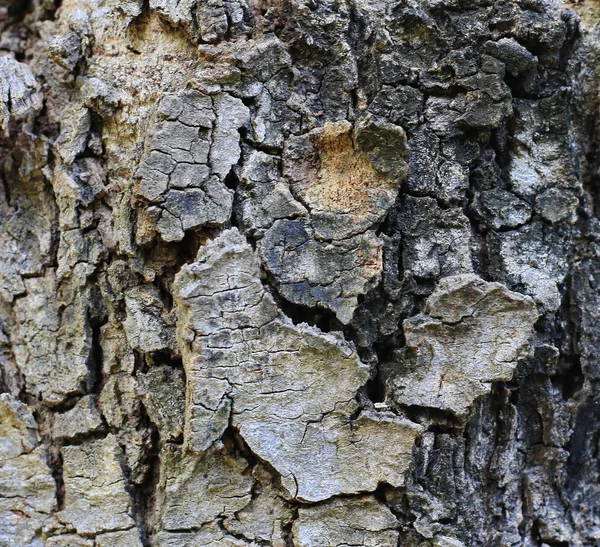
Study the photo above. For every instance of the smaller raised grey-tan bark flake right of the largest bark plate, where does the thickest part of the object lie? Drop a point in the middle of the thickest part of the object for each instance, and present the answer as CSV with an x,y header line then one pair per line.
x,y
472,333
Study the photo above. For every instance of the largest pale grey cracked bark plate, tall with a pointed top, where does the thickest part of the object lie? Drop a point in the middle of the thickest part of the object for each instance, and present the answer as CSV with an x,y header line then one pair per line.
x,y
288,390
